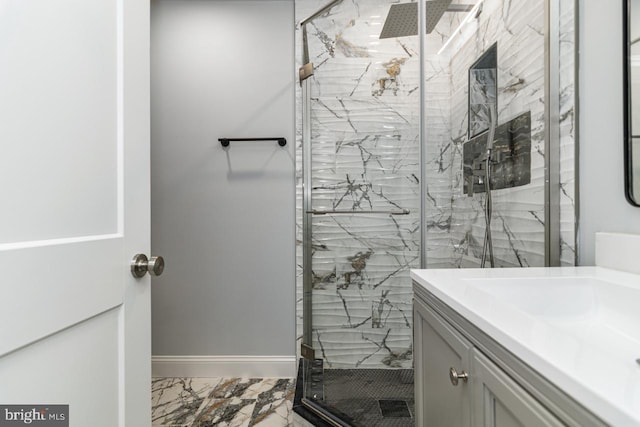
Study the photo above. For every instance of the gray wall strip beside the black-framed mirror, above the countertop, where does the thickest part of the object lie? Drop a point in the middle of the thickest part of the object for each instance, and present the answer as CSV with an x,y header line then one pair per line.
x,y
603,206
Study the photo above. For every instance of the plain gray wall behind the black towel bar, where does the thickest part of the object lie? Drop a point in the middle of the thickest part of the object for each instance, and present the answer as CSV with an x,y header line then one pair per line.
x,y
223,218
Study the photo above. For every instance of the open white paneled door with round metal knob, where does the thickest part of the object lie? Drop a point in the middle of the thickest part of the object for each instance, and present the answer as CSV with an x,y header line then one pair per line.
x,y
74,208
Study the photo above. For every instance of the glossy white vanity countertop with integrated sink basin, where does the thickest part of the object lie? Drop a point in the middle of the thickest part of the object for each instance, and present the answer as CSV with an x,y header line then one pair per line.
x,y
579,327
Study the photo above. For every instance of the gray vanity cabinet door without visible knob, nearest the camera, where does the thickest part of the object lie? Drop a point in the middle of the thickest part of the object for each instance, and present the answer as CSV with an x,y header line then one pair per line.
x,y
498,401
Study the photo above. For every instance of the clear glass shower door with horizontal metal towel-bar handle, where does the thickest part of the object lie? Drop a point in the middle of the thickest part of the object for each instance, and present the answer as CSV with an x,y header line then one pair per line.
x,y
362,219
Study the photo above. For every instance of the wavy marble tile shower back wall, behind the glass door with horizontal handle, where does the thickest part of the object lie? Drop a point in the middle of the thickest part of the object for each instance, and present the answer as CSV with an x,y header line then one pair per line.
x,y
365,114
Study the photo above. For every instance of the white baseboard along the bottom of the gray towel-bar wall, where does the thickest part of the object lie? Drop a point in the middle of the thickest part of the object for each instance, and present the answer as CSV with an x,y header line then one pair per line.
x,y
224,366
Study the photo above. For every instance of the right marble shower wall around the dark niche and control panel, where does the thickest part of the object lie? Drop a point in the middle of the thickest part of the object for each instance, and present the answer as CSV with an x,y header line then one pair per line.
x,y
455,222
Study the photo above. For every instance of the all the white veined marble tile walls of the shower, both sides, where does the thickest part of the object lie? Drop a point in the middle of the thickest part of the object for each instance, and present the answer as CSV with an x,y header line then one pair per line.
x,y
365,116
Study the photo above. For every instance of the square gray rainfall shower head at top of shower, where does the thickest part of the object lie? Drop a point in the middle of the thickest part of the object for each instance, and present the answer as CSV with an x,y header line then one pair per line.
x,y
402,19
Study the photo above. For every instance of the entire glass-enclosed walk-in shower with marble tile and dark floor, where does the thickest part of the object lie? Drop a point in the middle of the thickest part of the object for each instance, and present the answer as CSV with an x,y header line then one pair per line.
x,y
400,138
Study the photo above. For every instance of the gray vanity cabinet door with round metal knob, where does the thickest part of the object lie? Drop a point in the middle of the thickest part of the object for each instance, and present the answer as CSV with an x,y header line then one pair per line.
x,y
439,348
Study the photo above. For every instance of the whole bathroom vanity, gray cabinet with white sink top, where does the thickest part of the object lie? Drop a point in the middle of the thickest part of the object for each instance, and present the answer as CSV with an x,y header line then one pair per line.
x,y
528,347
